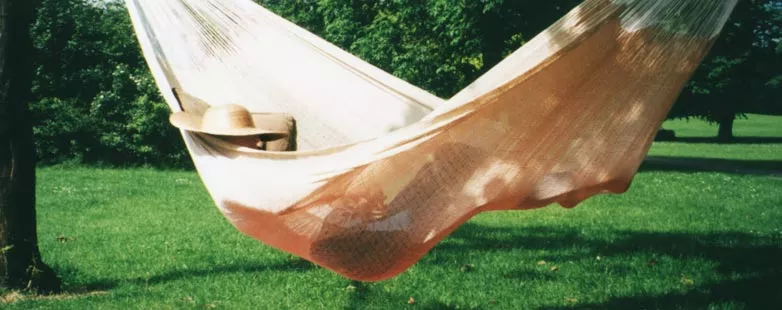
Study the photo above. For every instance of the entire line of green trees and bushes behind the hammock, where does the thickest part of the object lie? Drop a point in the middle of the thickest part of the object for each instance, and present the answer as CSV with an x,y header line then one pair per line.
x,y
95,101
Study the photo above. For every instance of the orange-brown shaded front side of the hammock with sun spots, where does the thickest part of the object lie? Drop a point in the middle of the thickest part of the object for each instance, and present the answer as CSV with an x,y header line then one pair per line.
x,y
576,126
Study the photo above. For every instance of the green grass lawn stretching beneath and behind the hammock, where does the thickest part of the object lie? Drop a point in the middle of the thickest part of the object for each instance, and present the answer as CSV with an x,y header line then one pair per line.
x,y
679,239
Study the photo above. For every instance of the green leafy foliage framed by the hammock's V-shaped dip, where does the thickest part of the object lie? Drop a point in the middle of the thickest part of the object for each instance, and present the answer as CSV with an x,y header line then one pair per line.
x,y
439,45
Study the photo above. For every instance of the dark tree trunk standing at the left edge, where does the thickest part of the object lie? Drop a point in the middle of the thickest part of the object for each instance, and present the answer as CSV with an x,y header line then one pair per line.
x,y
20,260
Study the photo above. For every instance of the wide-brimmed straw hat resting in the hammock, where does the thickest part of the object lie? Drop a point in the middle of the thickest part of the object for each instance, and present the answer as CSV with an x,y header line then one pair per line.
x,y
224,120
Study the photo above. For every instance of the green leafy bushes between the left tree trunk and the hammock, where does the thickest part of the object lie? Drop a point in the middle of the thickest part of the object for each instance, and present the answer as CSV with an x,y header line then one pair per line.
x,y
95,99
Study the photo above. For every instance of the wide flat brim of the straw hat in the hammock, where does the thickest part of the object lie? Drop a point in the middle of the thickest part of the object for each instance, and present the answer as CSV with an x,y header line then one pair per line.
x,y
191,122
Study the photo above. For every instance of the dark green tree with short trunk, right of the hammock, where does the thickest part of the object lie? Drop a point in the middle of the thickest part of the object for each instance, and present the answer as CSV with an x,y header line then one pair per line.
x,y
741,74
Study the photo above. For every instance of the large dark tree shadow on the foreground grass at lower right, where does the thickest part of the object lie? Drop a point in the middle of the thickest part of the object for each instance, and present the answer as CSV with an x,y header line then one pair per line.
x,y
749,264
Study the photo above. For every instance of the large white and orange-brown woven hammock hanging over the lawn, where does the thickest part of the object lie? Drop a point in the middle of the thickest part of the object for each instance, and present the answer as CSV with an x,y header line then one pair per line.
x,y
386,170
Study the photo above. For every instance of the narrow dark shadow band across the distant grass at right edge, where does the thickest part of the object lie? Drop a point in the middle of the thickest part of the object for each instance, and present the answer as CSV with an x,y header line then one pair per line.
x,y
694,164
